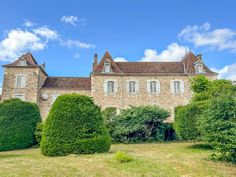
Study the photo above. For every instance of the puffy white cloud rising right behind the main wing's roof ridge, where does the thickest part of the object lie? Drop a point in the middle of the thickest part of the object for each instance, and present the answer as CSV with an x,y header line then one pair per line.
x,y
174,52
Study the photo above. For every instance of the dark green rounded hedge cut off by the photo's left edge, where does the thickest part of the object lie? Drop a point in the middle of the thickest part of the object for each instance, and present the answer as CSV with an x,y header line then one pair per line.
x,y
18,121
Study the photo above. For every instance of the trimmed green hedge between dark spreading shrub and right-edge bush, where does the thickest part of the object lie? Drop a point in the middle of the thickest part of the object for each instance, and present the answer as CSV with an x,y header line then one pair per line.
x,y
186,117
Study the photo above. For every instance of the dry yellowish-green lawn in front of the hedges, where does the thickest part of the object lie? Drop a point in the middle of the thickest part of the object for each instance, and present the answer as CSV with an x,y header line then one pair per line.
x,y
160,159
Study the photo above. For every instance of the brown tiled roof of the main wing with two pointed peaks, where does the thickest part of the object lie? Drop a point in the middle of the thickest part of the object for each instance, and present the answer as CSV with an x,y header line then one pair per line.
x,y
186,66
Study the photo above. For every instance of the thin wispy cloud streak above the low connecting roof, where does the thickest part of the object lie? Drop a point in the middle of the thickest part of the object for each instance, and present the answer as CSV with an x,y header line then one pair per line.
x,y
75,43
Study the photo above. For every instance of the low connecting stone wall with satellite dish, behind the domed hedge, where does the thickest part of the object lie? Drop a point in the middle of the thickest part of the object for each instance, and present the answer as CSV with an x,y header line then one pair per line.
x,y
45,105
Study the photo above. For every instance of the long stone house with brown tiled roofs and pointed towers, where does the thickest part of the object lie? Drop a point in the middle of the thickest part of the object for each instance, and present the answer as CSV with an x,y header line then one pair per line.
x,y
111,84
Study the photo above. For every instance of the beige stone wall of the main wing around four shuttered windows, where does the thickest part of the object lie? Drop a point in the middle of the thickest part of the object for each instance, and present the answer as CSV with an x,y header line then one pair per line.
x,y
122,99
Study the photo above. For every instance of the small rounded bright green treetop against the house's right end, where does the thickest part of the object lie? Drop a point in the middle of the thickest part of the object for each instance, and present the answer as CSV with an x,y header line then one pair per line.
x,y
200,84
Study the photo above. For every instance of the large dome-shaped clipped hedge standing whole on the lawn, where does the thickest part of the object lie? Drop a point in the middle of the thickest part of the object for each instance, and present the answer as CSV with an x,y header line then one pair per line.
x,y
74,126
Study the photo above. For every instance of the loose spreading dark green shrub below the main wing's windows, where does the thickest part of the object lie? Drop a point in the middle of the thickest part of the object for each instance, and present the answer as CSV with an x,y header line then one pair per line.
x,y
139,124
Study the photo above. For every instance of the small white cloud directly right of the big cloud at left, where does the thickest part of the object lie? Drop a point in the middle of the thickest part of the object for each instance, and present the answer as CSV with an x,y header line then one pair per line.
x,y
46,32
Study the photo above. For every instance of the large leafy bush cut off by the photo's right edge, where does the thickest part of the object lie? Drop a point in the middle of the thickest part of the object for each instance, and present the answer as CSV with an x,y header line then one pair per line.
x,y
218,127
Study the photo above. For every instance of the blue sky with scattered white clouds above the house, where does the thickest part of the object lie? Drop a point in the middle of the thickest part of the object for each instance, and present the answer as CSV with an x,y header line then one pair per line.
x,y
66,34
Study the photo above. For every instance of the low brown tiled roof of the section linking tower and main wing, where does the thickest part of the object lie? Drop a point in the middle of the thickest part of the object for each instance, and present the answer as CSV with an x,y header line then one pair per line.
x,y
80,83
